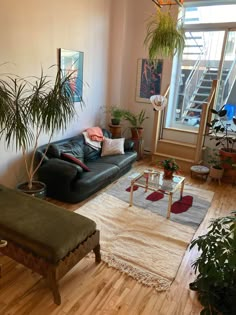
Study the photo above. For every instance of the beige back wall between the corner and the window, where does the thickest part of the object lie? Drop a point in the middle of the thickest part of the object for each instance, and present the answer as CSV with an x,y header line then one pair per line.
x,y
128,33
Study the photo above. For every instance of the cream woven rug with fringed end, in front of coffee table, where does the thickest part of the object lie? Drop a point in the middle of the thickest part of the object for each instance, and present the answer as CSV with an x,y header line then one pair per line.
x,y
142,244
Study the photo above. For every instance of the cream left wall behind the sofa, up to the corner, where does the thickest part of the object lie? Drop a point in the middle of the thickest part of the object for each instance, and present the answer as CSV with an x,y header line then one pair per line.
x,y
31,31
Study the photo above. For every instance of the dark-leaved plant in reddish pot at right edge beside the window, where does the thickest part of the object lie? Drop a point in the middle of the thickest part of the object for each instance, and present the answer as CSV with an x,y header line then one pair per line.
x,y
224,137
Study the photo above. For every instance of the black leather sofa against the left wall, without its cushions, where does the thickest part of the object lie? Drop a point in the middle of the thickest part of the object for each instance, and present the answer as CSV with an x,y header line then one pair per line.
x,y
67,182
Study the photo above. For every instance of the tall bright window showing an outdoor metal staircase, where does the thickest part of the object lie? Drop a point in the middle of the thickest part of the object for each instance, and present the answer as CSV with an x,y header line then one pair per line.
x,y
209,53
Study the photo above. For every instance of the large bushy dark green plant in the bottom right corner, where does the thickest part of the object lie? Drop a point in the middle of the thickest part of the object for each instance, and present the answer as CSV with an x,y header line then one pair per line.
x,y
216,267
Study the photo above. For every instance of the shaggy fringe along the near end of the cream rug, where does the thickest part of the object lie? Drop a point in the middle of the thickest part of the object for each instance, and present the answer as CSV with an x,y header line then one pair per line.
x,y
146,278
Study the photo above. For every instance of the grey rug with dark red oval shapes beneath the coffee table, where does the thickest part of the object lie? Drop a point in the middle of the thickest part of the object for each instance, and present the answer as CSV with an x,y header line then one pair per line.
x,y
190,210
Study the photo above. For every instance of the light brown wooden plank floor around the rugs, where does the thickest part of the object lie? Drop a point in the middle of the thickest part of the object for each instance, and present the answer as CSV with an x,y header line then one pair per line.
x,y
99,290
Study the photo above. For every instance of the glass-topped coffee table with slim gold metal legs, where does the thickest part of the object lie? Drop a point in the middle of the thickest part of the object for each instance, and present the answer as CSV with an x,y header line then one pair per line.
x,y
155,181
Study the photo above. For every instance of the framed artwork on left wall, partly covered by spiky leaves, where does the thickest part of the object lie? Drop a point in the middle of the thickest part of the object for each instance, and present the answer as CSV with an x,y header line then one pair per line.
x,y
72,61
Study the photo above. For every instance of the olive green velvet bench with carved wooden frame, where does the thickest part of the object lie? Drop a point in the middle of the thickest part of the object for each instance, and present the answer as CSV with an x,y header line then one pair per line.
x,y
44,237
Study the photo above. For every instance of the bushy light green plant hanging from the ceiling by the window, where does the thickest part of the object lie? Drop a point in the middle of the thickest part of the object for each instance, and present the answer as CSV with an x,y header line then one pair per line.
x,y
164,38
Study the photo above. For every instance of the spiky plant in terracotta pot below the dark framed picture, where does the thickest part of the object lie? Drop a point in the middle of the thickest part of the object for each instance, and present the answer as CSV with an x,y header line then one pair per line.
x,y
136,121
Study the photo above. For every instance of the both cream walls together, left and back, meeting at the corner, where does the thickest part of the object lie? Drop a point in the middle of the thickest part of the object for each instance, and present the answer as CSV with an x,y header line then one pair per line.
x,y
111,35
